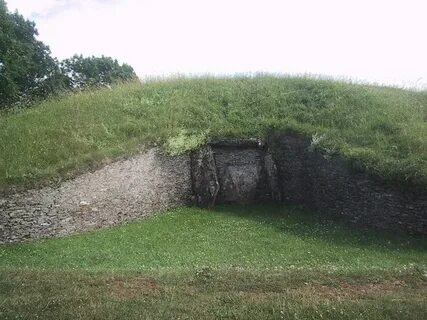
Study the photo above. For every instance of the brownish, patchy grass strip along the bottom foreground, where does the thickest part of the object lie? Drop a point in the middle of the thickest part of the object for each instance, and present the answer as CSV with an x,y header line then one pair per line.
x,y
216,295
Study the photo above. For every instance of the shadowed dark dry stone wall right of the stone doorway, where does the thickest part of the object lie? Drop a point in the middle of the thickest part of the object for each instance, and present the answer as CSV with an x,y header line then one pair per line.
x,y
330,187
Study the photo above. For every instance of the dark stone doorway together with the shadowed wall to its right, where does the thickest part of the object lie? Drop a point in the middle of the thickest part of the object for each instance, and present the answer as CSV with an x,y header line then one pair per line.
x,y
289,170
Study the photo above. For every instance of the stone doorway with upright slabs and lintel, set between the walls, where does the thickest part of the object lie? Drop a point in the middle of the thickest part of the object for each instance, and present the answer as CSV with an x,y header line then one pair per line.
x,y
242,170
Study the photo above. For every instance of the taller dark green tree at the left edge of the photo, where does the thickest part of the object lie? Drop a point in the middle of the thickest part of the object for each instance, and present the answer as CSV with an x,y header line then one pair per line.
x,y
27,70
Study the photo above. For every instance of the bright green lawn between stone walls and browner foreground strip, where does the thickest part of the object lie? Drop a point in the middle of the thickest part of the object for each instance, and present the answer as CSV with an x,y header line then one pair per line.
x,y
260,237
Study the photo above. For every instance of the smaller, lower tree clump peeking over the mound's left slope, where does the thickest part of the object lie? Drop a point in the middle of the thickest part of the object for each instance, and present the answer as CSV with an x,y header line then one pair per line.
x,y
95,71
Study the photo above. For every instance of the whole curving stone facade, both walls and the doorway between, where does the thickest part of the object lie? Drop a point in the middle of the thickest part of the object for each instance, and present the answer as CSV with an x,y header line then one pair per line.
x,y
286,169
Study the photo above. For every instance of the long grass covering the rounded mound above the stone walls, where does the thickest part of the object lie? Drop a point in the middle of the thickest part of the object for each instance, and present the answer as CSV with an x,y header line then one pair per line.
x,y
380,129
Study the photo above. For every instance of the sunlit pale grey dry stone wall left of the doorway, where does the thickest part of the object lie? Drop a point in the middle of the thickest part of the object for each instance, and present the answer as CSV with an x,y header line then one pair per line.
x,y
119,192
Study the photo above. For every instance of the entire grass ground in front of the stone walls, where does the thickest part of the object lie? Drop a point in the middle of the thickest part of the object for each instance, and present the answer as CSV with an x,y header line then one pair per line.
x,y
261,262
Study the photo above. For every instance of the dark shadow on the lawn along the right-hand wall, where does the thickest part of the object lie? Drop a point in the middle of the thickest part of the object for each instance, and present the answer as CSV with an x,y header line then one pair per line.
x,y
308,224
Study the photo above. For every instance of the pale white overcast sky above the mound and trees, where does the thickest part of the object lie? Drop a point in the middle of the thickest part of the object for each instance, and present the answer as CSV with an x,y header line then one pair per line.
x,y
377,41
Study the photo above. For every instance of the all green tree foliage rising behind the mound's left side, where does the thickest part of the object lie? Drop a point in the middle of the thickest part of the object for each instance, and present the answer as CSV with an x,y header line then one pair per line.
x,y
28,72
